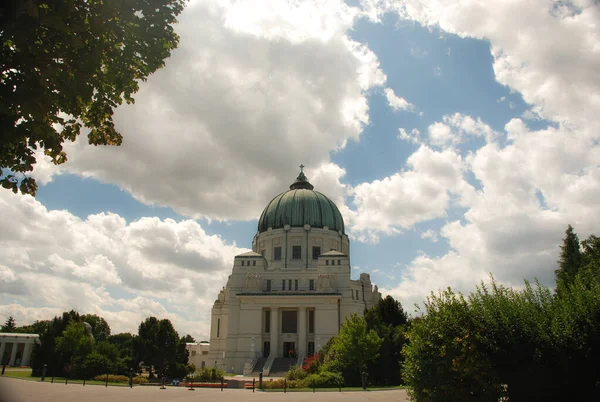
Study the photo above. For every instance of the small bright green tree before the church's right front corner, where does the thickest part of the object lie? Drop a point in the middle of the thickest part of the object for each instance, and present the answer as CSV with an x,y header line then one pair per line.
x,y
355,345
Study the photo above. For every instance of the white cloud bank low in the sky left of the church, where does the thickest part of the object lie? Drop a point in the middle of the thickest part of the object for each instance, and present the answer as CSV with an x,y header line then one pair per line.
x,y
54,261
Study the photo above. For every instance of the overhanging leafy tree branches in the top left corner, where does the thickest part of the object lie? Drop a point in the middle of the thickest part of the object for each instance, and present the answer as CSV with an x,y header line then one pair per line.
x,y
66,64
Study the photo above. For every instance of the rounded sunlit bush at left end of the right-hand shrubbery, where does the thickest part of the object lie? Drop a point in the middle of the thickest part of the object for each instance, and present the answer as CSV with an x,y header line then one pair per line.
x,y
442,364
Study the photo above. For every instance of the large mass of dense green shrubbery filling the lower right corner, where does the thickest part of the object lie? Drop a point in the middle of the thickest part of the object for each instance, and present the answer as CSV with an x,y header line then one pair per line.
x,y
541,346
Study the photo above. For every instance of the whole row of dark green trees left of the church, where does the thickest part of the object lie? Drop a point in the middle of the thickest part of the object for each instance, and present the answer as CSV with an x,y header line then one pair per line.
x,y
69,349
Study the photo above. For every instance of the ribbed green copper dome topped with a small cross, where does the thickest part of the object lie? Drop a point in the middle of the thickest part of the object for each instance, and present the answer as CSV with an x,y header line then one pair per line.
x,y
300,206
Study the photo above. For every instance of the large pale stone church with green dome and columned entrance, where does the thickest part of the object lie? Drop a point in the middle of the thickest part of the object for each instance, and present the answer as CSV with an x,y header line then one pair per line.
x,y
288,296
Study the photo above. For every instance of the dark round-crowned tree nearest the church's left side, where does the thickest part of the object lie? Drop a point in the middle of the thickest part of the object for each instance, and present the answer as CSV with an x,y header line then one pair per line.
x,y
159,345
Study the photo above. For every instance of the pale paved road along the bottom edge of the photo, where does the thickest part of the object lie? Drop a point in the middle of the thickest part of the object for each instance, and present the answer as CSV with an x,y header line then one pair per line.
x,y
14,390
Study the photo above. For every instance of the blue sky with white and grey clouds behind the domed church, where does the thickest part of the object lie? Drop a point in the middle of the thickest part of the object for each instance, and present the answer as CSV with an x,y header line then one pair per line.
x,y
458,139
